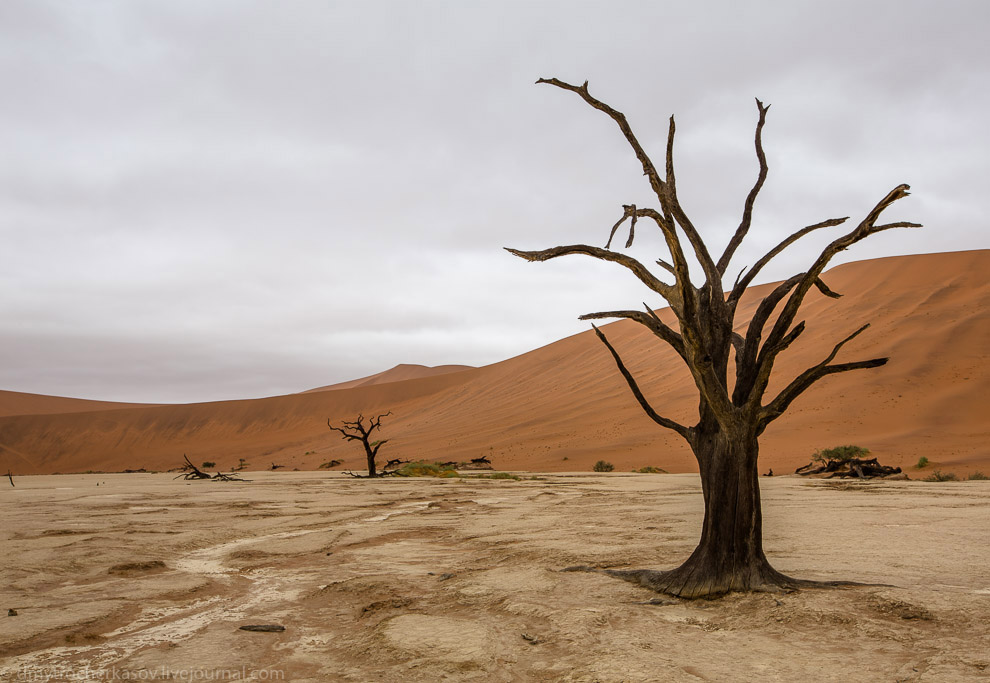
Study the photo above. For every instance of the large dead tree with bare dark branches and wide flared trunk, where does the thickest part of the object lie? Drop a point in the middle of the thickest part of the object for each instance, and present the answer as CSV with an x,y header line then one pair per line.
x,y
732,415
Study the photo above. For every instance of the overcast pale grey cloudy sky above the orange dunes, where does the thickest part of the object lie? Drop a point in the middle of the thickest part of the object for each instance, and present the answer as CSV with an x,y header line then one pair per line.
x,y
213,200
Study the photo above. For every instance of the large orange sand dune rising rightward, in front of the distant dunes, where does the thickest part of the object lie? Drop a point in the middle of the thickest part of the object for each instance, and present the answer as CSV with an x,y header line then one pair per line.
x,y
564,406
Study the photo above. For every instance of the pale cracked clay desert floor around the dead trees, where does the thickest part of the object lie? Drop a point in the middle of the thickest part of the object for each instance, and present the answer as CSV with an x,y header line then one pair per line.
x,y
428,580
